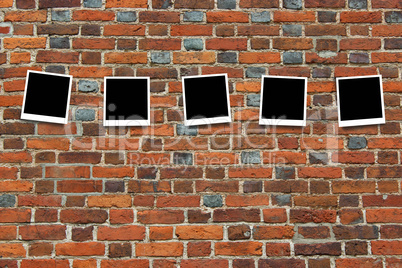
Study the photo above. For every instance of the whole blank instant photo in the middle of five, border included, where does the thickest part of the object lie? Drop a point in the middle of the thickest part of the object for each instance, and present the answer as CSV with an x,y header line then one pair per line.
x,y
206,99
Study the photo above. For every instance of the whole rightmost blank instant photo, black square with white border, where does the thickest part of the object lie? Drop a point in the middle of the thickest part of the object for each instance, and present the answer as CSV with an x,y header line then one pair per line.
x,y
360,100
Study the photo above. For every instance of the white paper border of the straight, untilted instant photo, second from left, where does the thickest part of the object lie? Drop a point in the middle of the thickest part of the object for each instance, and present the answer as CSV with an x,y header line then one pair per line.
x,y
126,122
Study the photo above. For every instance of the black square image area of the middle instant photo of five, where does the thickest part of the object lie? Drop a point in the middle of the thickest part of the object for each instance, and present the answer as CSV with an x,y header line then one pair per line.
x,y
206,97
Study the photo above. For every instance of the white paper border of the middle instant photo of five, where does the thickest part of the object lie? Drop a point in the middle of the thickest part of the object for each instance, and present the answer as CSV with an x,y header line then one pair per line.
x,y
210,120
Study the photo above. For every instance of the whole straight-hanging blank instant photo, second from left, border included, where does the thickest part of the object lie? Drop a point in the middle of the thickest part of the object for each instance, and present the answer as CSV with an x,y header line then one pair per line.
x,y
126,101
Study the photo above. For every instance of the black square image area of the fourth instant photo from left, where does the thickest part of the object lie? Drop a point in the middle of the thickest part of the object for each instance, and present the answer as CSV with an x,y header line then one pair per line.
x,y
283,98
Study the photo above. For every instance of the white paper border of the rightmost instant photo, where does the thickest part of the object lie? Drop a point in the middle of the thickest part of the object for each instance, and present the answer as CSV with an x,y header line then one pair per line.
x,y
360,122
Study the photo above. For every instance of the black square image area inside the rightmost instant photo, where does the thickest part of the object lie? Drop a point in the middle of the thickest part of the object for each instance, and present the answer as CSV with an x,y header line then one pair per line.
x,y
360,98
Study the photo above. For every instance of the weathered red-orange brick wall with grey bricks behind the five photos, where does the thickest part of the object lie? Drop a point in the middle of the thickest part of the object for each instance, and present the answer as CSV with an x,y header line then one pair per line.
x,y
230,195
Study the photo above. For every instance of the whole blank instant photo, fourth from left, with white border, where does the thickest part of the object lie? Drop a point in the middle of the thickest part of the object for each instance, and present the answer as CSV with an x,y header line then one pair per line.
x,y
283,101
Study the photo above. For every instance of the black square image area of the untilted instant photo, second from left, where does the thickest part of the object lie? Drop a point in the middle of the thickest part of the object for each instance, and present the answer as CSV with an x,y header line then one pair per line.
x,y
126,99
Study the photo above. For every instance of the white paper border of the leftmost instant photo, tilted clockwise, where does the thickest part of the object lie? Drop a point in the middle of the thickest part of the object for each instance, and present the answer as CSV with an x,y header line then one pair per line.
x,y
45,118
